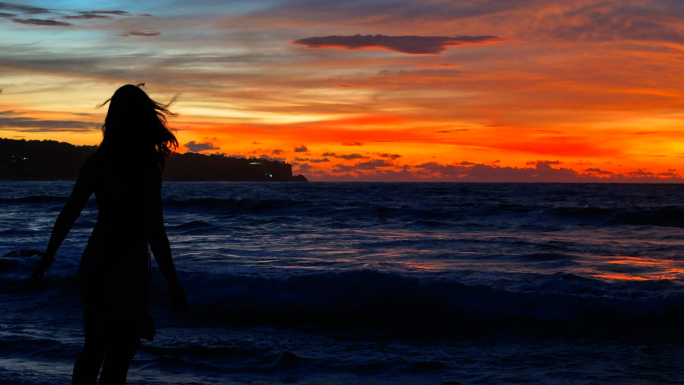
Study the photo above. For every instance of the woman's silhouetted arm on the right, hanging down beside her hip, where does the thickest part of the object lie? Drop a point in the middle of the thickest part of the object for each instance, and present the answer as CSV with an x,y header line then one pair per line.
x,y
159,243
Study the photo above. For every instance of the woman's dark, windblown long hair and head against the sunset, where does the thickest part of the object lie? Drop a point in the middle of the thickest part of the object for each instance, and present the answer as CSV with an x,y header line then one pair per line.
x,y
135,126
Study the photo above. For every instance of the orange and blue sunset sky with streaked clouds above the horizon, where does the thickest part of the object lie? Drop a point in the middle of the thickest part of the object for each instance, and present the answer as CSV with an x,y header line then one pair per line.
x,y
472,90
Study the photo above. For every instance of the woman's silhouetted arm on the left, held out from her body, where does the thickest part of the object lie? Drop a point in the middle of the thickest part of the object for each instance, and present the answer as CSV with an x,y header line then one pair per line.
x,y
66,219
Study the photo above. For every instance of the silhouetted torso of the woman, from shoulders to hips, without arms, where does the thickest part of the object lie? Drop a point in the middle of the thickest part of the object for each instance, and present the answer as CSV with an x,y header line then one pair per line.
x,y
114,266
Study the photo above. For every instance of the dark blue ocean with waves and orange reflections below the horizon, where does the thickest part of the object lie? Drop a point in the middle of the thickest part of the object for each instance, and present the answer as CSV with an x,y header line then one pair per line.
x,y
374,283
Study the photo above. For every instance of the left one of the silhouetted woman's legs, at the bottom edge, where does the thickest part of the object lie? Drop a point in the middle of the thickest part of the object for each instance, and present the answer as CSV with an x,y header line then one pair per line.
x,y
89,361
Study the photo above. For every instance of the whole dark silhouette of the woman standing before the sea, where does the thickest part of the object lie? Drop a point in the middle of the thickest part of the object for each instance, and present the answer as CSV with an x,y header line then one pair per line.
x,y
125,175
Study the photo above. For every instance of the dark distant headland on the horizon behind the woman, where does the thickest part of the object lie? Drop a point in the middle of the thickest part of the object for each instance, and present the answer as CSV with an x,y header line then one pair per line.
x,y
52,160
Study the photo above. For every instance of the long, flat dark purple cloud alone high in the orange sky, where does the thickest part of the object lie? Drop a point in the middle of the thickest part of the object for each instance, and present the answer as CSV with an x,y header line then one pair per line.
x,y
415,45
